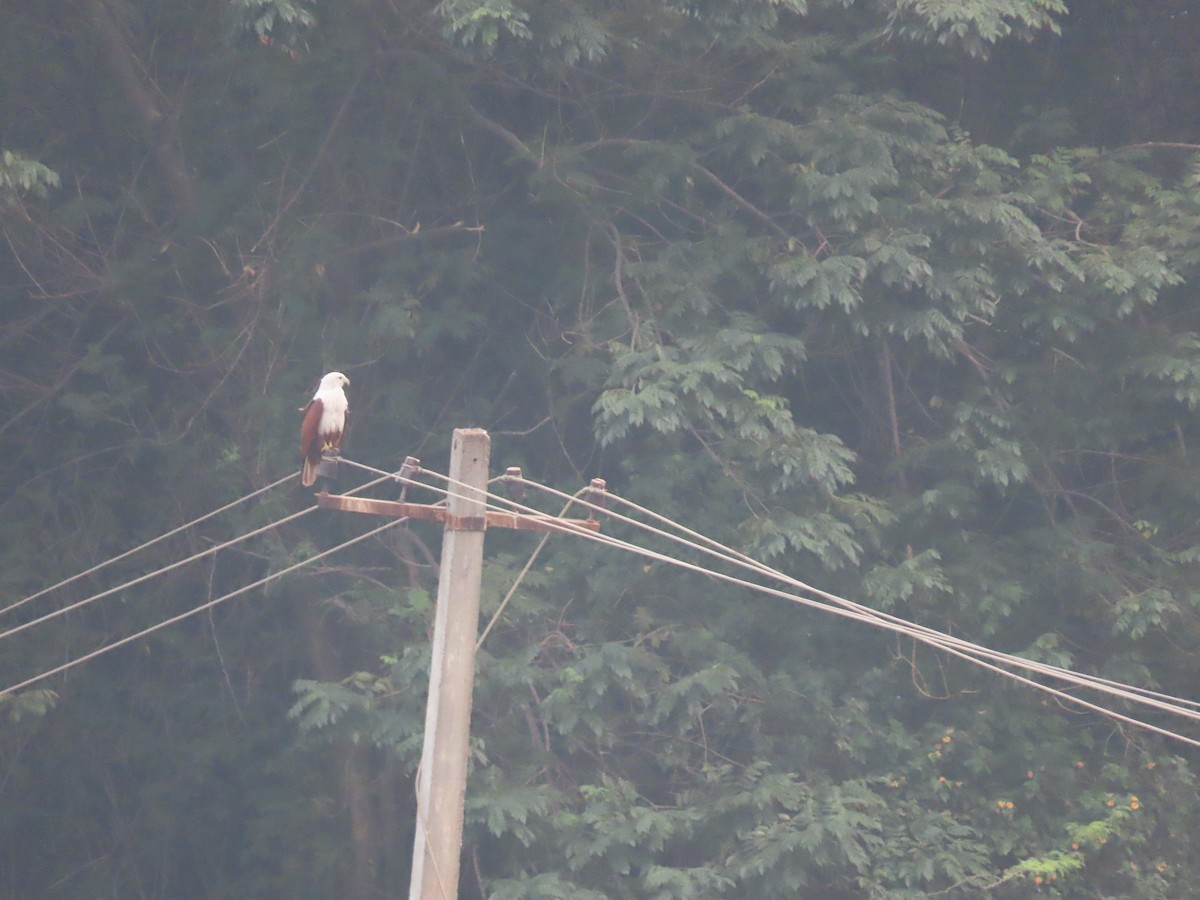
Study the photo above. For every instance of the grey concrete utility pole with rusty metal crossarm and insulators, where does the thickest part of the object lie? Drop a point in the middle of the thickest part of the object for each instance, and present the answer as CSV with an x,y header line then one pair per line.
x,y
442,777
